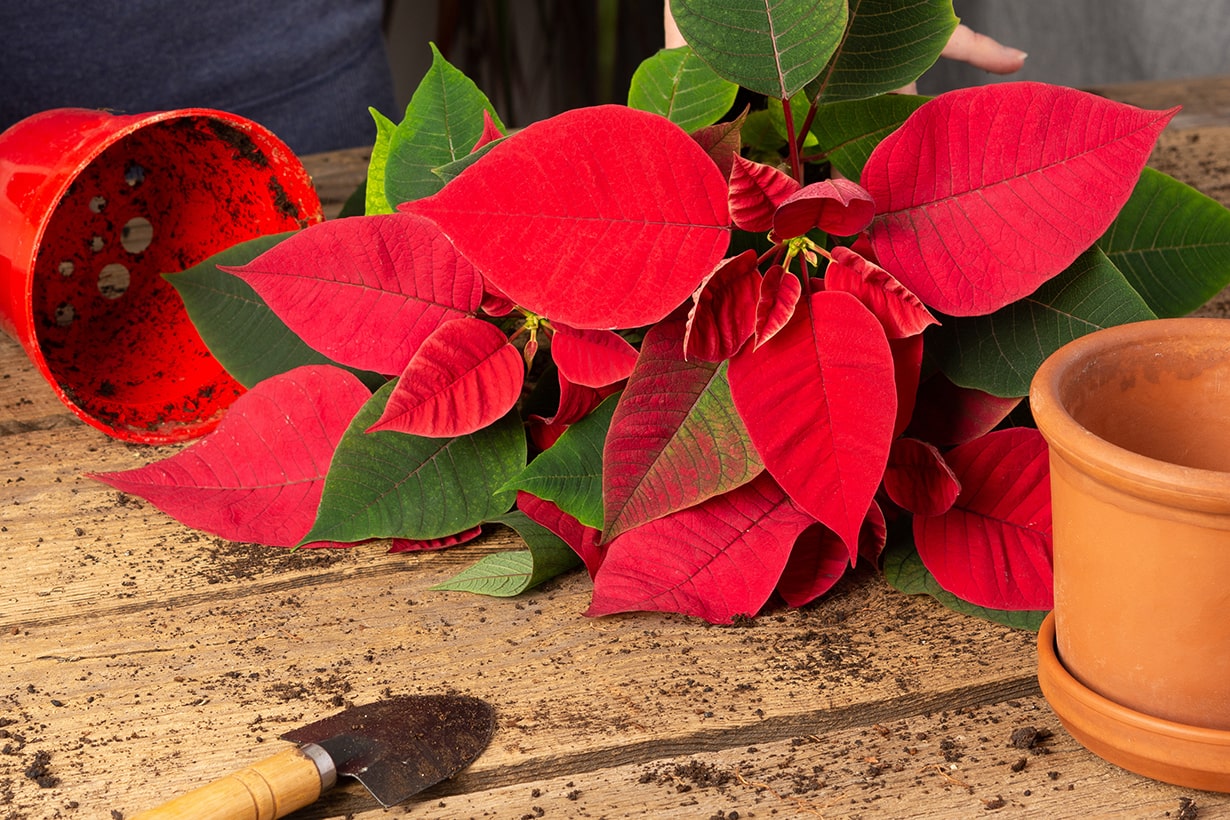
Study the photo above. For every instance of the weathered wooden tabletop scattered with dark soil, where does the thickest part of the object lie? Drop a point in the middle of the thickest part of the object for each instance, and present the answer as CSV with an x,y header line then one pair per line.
x,y
140,660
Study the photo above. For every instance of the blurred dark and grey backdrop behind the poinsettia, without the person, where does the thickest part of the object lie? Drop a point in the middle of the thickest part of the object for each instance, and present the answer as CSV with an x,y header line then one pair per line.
x,y
536,58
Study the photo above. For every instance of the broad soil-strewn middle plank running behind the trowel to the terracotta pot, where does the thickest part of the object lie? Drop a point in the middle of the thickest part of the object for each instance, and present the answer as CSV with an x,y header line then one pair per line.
x,y
574,695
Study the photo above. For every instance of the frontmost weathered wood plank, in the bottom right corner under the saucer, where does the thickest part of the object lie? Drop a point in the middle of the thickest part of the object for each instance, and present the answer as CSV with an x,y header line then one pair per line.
x,y
946,764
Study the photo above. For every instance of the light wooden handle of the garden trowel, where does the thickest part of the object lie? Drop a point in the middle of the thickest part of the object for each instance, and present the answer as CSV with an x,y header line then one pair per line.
x,y
271,789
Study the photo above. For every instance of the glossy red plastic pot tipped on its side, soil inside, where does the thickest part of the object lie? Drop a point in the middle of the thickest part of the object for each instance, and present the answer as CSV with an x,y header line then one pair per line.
x,y
94,210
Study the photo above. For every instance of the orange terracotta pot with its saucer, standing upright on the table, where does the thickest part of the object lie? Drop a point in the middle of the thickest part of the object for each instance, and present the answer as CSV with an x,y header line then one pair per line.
x,y
1136,657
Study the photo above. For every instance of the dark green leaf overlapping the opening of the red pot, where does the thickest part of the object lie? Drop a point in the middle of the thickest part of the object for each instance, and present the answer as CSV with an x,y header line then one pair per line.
x,y
239,329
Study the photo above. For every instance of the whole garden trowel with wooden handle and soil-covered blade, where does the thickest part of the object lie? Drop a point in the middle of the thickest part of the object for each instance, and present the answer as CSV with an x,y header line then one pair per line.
x,y
397,748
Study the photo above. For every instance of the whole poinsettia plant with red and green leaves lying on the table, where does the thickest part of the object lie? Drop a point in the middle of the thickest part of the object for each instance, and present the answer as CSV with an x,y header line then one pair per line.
x,y
712,355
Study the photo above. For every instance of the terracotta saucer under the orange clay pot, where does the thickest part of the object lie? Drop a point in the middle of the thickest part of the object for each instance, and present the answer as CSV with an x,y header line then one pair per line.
x,y
1163,751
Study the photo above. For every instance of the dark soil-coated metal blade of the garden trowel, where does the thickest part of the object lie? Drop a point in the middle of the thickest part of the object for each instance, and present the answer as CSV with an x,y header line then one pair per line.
x,y
403,746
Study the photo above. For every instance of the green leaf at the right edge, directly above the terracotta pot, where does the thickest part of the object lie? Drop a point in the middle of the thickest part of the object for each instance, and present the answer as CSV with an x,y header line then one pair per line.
x,y
1173,244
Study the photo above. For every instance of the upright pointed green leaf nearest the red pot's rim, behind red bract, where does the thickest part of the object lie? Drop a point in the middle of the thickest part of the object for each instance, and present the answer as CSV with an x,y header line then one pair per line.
x,y
442,125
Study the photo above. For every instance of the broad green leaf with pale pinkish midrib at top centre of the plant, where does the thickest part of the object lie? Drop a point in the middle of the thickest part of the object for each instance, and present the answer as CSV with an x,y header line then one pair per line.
x,y
771,49
